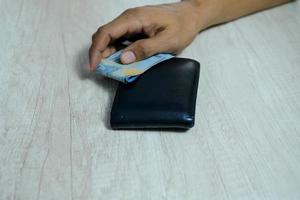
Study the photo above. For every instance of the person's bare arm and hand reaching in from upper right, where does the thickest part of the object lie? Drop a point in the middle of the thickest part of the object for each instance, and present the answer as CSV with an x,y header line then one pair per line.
x,y
168,27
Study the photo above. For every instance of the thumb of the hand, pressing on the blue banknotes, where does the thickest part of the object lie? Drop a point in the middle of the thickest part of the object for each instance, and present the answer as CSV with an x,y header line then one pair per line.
x,y
141,49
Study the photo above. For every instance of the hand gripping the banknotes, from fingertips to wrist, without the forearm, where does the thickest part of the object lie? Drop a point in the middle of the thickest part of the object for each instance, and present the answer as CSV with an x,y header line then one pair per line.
x,y
169,28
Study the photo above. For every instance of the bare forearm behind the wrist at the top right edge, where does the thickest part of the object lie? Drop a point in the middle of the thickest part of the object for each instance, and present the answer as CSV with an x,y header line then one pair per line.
x,y
212,12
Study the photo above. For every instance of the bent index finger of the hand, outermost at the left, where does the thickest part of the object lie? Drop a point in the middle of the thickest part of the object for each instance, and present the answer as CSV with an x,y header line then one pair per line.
x,y
123,25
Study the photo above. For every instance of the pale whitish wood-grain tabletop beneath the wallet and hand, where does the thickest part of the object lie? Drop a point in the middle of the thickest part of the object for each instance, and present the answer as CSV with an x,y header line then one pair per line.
x,y
55,142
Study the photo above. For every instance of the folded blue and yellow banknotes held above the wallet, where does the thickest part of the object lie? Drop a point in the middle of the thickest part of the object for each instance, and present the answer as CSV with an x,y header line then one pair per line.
x,y
127,73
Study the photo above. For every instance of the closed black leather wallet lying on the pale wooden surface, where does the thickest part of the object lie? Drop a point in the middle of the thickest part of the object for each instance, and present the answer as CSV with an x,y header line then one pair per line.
x,y
163,97
